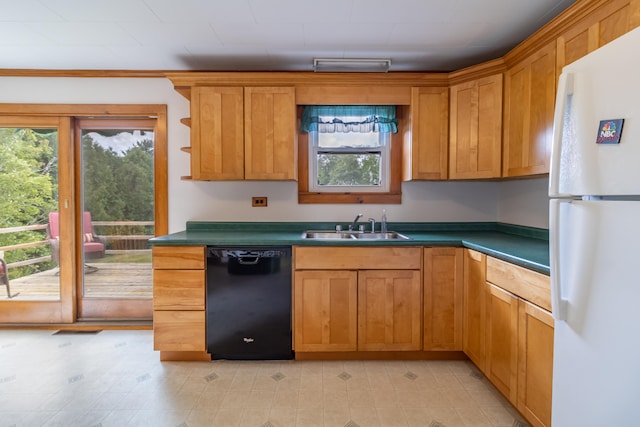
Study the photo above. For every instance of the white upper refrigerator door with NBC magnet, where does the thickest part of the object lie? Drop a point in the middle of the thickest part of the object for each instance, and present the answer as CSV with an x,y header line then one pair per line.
x,y
595,90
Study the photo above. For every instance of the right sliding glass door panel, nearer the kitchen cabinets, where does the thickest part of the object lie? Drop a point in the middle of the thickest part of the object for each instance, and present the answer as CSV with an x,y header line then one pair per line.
x,y
116,217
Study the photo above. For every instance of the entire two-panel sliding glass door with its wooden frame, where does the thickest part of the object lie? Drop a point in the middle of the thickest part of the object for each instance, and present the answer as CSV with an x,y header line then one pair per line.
x,y
79,199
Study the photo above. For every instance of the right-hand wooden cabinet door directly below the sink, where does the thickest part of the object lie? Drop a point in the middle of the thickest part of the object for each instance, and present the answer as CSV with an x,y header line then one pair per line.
x,y
389,310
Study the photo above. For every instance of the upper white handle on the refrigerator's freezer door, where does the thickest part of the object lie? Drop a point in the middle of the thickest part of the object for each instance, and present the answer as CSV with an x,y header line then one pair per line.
x,y
565,90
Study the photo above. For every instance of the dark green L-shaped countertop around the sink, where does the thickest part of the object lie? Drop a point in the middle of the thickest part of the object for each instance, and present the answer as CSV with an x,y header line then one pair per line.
x,y
524,246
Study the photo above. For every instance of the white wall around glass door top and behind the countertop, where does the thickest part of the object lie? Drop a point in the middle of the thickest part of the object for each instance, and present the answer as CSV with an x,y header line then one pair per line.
x,y
515,202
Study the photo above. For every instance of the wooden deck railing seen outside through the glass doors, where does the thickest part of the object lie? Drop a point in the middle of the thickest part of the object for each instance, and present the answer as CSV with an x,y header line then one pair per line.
x,y
112,239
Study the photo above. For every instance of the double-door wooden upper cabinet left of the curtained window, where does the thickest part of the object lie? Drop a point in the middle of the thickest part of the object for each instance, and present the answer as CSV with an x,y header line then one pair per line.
x,y
243,133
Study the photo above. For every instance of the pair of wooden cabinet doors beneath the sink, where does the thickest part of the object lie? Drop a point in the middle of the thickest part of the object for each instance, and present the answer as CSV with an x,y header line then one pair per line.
x,y
365,310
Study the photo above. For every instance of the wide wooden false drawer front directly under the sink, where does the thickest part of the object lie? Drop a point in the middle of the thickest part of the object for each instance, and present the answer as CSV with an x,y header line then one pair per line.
x,y
355,258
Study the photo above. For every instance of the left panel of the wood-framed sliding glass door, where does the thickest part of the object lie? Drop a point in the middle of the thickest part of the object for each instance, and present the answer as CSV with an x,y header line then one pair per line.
x,y
35,251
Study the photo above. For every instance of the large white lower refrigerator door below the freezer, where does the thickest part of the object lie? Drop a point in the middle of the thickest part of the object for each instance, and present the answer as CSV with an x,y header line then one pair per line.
x,y
596,379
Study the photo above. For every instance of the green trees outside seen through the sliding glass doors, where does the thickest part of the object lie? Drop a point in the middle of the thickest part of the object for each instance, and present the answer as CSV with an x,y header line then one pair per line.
x,y
117,187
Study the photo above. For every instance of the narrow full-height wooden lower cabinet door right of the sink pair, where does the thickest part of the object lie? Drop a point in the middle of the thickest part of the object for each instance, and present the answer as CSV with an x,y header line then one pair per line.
x,y
443,296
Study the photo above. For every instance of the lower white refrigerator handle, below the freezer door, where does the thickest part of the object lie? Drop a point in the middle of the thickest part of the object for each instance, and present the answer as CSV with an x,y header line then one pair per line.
x,y
558,304
